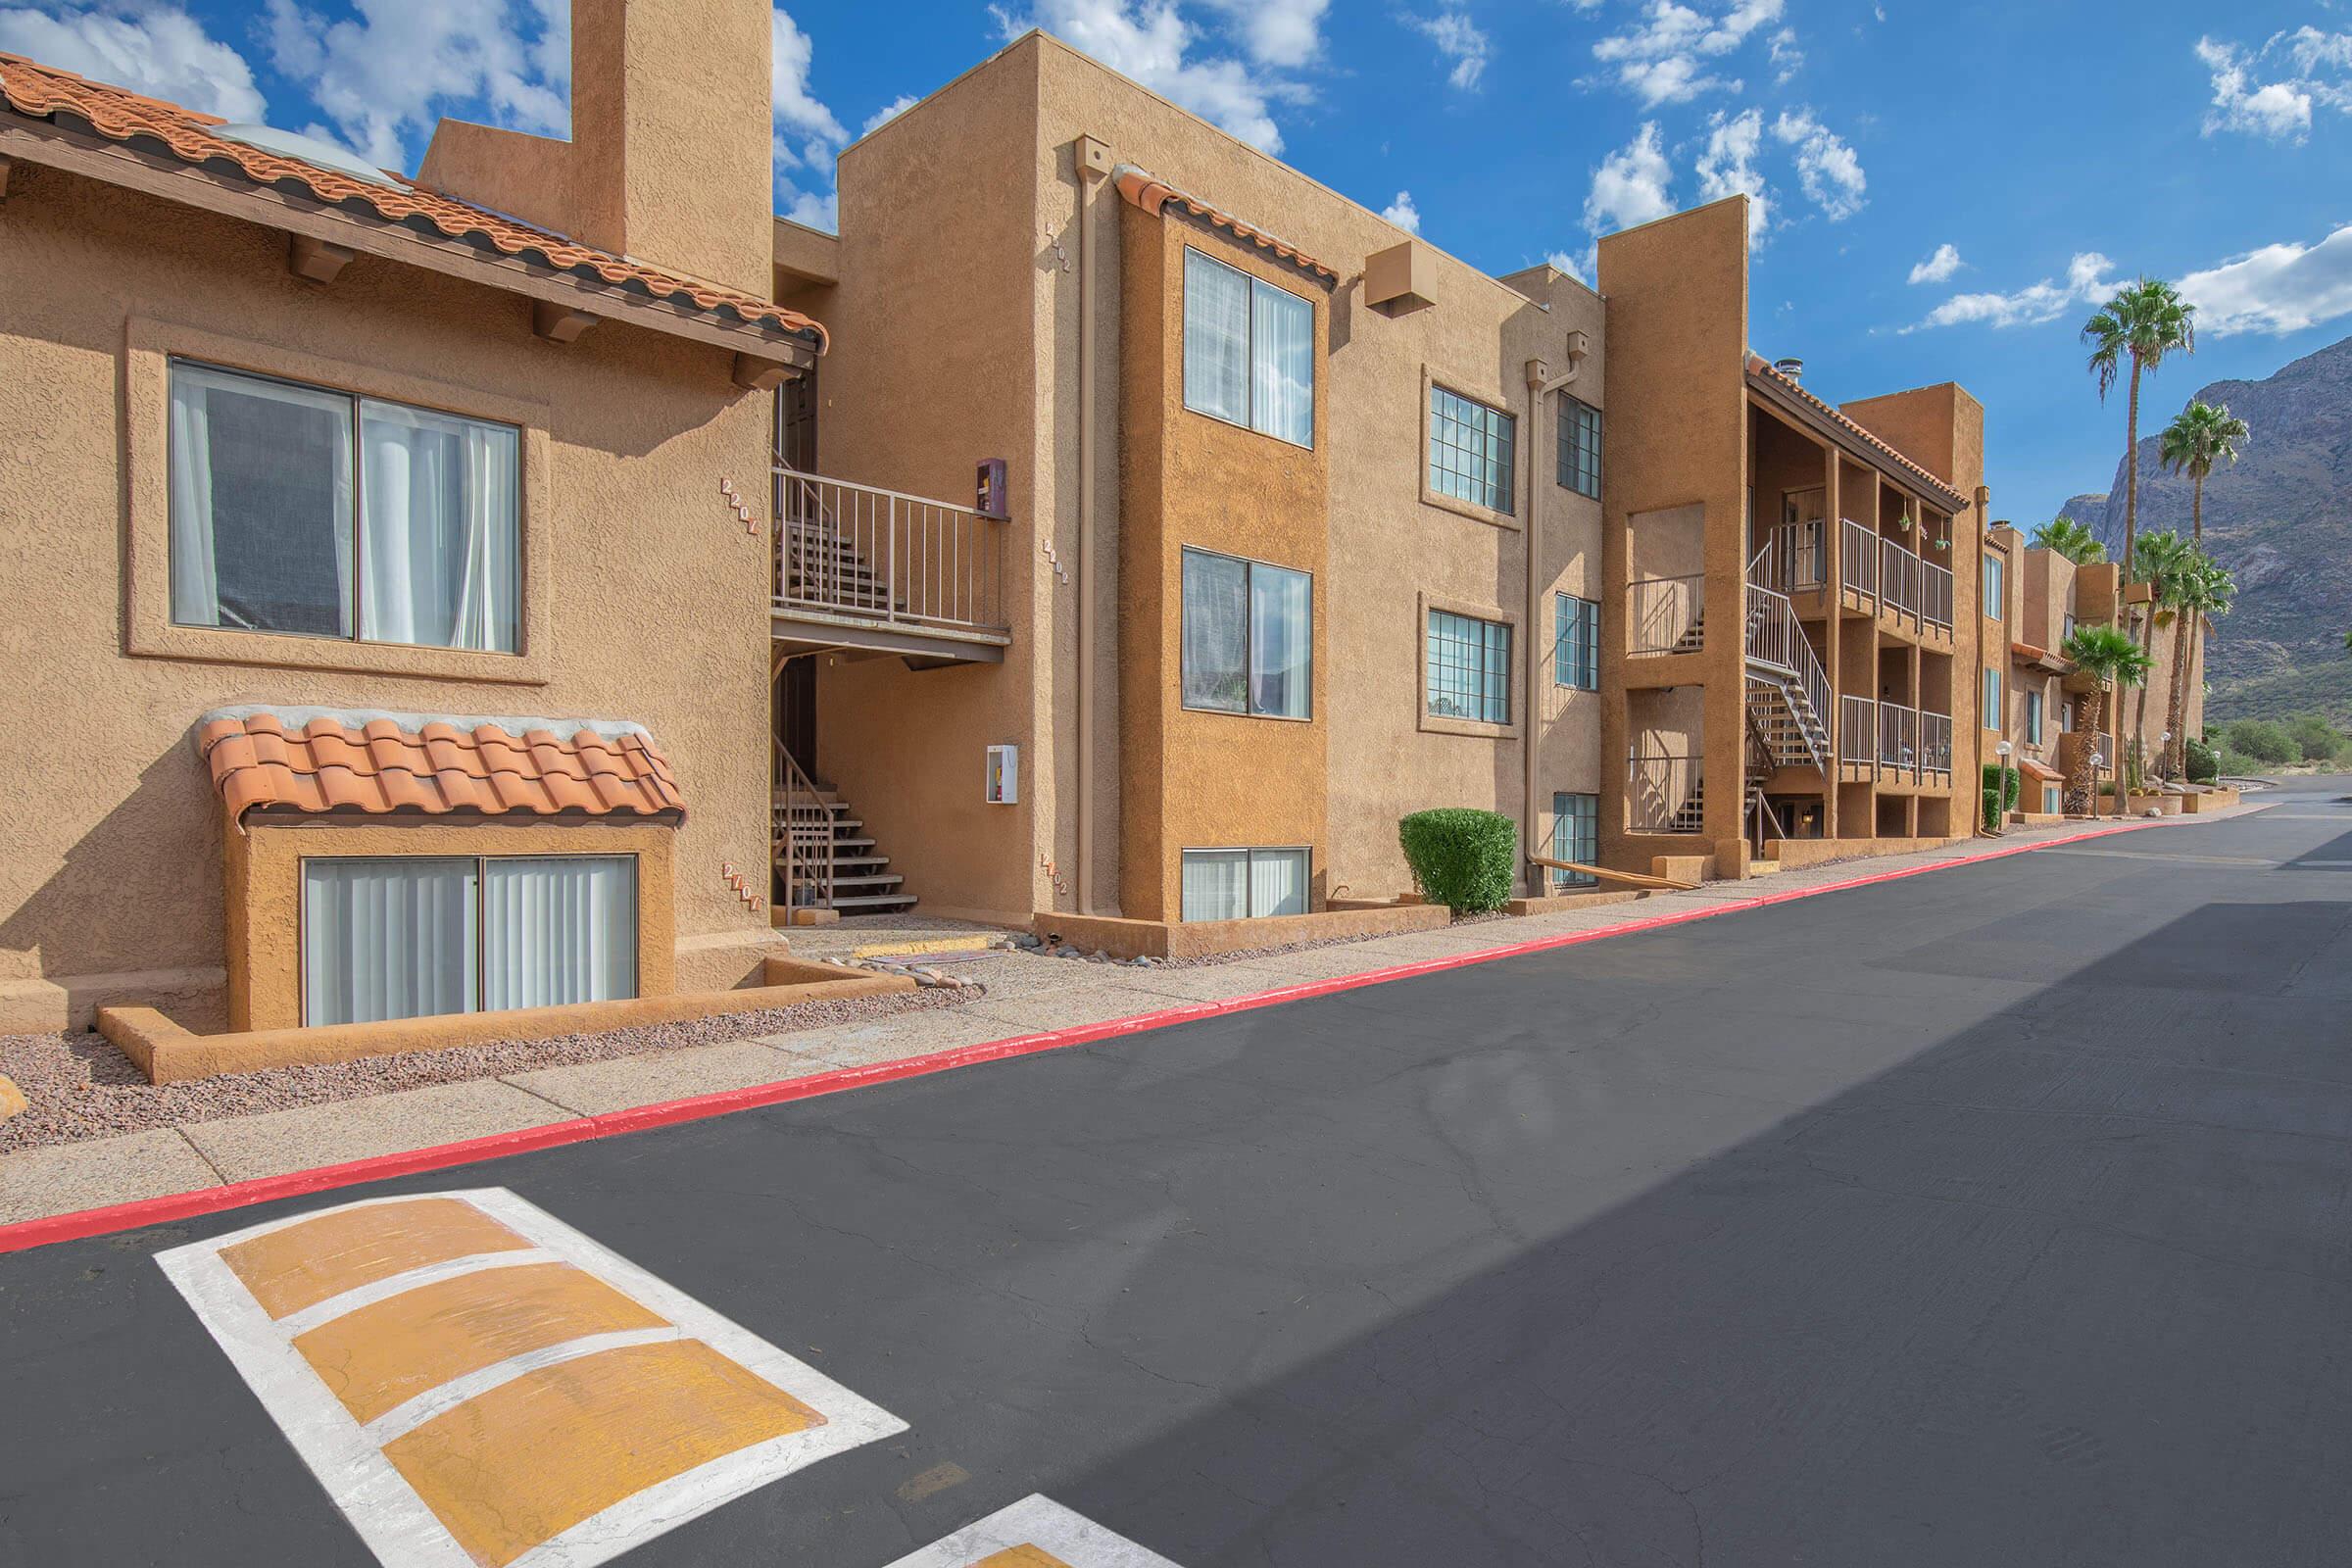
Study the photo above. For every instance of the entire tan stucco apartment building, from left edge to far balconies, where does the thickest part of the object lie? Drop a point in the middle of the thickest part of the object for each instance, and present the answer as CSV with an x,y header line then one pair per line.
x,y
495,587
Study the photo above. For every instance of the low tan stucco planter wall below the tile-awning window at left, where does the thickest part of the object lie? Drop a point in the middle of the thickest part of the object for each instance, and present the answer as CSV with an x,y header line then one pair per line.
x,y
171,1054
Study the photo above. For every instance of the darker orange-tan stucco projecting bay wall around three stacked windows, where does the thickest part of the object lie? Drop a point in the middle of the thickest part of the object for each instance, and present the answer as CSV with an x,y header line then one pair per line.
x,y
1208,779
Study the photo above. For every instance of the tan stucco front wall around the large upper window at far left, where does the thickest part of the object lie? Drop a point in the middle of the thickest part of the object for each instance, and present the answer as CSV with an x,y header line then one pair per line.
x,y
648,601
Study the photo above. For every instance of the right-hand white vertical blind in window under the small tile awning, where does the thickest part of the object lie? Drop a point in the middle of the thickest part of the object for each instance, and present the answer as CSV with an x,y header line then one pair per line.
x,y
559,930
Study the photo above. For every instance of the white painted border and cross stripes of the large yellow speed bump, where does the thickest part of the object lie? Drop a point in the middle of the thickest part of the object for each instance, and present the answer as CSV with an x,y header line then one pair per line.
x,y
387,1510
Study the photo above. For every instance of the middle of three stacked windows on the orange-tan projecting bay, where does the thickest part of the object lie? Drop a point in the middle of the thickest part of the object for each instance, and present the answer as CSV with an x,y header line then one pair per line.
x,y
1248,638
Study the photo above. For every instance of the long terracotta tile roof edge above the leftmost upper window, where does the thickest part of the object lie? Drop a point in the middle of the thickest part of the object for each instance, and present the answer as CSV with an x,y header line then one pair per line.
x,y
46,93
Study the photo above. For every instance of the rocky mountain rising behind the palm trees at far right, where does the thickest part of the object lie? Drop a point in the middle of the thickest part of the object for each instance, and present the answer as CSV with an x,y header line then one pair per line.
x,y
2280,521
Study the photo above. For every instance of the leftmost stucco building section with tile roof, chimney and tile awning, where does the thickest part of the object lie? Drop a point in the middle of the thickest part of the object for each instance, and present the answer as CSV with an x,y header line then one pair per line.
x,y
382,638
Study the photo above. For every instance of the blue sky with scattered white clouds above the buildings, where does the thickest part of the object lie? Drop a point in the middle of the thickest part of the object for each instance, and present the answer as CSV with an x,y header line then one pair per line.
x,y
1946,192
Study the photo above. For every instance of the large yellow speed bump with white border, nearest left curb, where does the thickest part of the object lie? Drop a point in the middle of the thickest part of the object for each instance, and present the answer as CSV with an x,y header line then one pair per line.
x,y
476,1383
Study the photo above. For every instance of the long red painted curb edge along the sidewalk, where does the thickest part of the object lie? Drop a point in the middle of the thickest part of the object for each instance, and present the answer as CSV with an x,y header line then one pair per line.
x,y
700,1108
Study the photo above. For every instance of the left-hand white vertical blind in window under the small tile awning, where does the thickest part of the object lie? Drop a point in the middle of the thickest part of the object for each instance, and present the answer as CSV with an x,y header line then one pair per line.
x,y
387,939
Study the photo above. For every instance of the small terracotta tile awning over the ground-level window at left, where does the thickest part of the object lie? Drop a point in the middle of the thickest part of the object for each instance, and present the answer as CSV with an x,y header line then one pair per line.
x,y
312,760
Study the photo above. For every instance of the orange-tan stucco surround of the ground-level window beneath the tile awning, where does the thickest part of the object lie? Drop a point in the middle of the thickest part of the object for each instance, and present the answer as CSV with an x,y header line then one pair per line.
x,y
262,871
